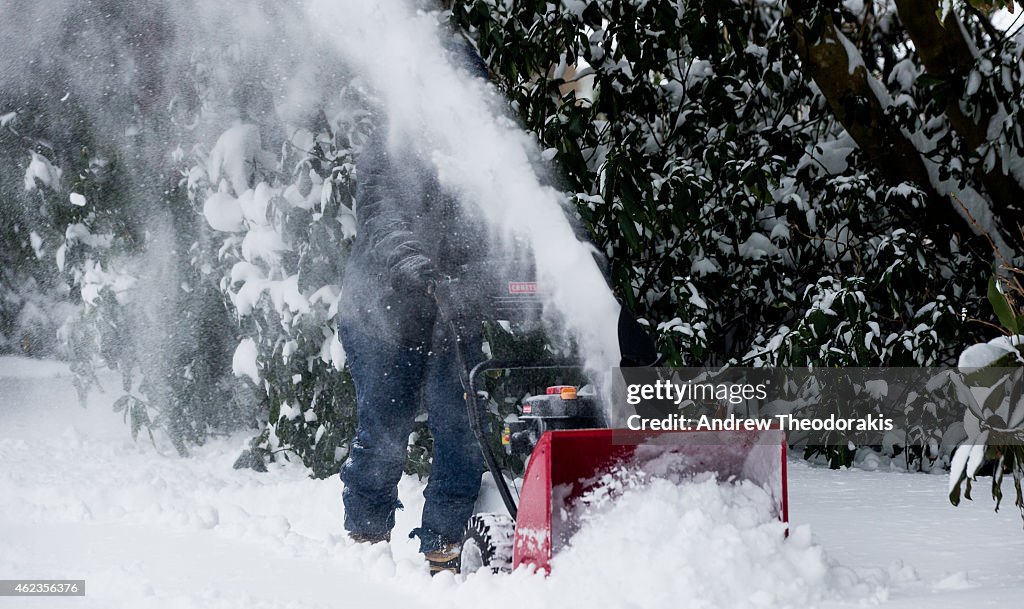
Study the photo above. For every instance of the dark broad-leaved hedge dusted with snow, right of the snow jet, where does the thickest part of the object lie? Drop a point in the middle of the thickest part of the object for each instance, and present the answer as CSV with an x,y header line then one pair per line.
x,y
745,197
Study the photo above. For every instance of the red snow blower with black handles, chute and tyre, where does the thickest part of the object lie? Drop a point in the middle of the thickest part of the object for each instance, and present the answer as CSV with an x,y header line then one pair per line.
x,y
563,437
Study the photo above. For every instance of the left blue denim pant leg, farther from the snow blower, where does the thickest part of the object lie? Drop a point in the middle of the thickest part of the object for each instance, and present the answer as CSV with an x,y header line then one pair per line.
x,y
389,379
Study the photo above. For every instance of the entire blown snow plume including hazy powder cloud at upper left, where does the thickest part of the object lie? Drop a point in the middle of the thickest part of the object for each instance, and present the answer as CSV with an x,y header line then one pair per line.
x,y
170,85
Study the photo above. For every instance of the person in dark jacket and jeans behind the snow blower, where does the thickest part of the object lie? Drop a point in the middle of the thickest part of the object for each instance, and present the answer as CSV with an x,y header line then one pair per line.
x,y
410,234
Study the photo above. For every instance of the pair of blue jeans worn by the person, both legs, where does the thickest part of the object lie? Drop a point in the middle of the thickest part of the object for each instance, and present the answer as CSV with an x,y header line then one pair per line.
x,y
391,381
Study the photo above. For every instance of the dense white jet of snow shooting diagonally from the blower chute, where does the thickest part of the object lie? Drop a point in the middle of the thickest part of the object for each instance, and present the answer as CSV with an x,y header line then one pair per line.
x,y
482,156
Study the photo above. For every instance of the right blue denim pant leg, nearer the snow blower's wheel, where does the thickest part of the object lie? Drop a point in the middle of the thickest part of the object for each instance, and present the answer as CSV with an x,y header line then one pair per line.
x,y
458,463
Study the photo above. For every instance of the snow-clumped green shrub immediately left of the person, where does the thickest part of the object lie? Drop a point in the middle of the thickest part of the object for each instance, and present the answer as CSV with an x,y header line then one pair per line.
x,y
285,224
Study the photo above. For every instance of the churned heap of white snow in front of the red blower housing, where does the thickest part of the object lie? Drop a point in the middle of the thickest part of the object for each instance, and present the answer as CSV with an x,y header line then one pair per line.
x,y
715,544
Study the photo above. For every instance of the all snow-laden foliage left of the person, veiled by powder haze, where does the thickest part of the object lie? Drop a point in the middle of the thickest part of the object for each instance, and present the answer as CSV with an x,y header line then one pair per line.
x,y
175,187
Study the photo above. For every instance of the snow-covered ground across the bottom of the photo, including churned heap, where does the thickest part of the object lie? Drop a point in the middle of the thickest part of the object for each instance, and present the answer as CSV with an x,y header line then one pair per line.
x,y
146,529
